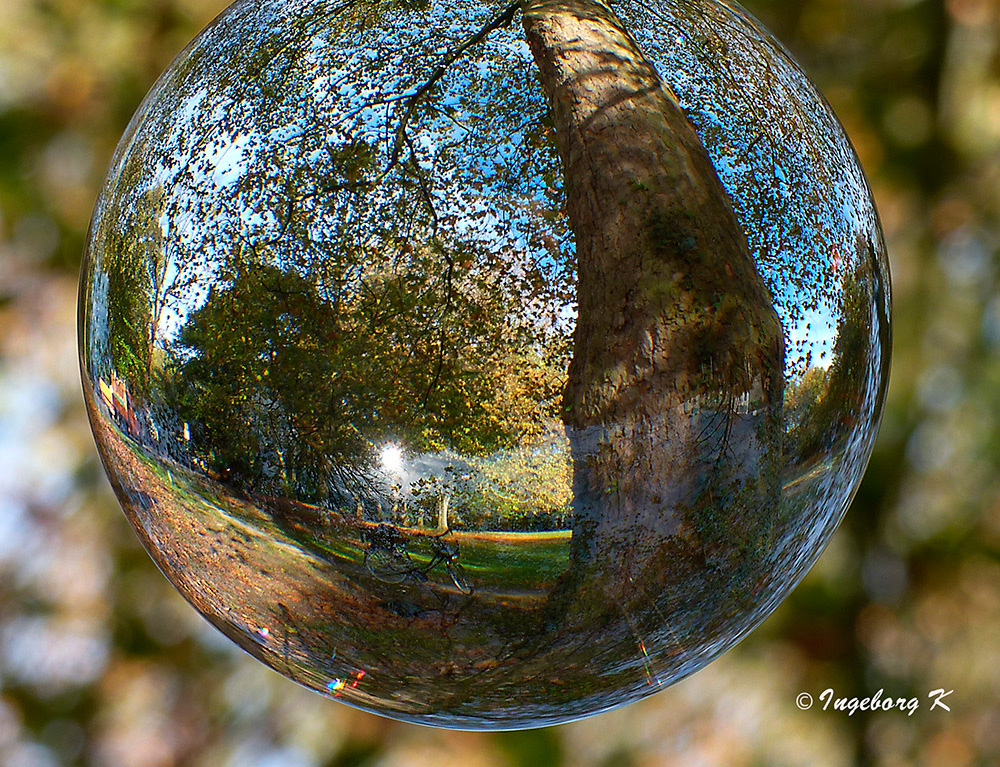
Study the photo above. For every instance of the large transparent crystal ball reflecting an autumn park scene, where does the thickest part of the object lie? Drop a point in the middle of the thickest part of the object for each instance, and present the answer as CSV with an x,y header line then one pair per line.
x,y
485,366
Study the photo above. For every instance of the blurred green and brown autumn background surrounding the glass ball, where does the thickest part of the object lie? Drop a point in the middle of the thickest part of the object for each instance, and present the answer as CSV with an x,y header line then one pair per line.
x,y
103,664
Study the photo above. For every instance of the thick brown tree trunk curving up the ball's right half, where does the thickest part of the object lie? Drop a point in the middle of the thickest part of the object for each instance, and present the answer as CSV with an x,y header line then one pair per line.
x,y
674,395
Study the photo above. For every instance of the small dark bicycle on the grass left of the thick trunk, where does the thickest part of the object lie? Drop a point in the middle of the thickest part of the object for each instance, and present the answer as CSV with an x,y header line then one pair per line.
x,y
388,558
